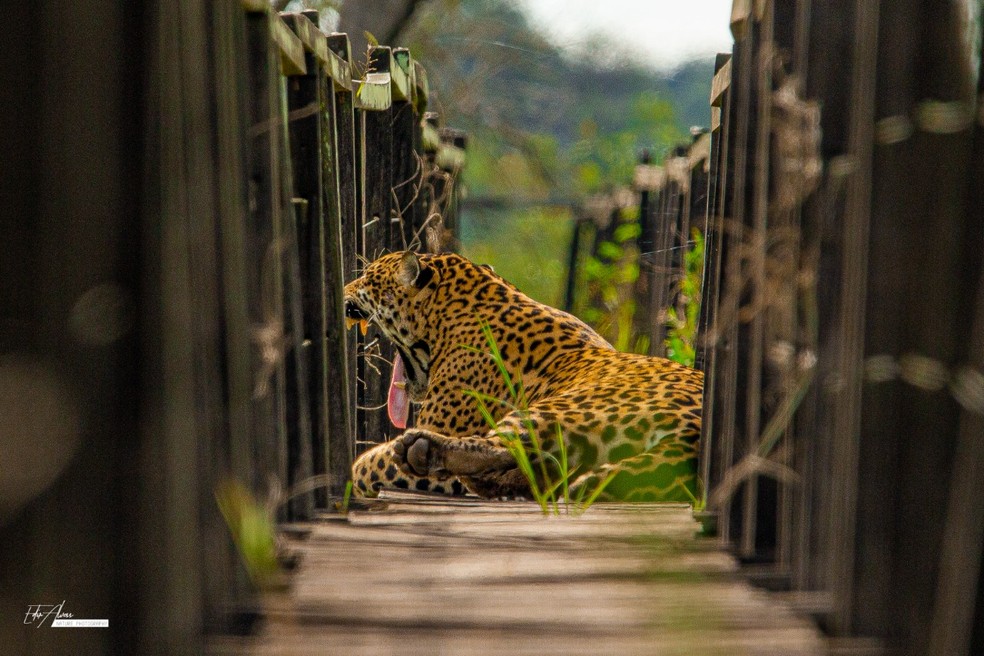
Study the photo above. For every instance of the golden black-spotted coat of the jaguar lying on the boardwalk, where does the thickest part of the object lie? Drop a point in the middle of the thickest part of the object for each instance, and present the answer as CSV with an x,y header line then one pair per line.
x,y
636,415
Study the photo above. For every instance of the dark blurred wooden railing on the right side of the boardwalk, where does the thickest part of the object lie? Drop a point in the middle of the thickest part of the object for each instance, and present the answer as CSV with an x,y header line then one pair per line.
x,y
843,316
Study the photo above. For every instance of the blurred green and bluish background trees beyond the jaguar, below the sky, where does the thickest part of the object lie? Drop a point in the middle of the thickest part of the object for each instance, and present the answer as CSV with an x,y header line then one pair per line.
x,y
547,130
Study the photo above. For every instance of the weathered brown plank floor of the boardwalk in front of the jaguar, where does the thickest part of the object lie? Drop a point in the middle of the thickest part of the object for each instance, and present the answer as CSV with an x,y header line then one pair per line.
x,y
411,574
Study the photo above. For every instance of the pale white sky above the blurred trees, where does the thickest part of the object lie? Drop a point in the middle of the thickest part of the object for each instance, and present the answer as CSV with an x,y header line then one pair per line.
x,y
667,32
